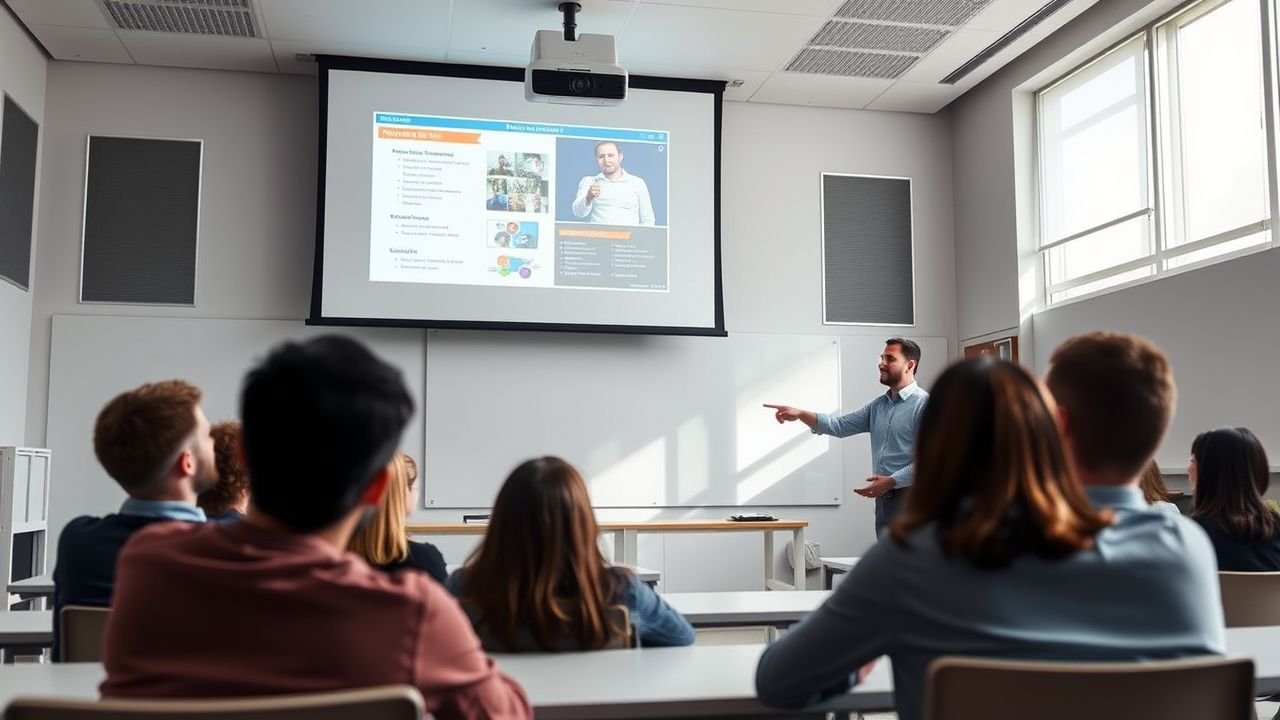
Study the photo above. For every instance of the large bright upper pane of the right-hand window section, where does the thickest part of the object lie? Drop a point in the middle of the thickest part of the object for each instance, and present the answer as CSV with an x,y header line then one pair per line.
x,y
1224,165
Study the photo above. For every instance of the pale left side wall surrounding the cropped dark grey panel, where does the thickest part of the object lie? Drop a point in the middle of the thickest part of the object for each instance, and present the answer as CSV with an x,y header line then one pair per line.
x,y
22,78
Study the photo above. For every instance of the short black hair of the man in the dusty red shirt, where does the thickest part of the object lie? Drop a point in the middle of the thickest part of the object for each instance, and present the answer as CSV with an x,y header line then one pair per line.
x,y
321,418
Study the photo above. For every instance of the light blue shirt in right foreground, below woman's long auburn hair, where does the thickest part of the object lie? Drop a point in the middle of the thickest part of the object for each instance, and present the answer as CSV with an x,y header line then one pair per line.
x,y
1146,590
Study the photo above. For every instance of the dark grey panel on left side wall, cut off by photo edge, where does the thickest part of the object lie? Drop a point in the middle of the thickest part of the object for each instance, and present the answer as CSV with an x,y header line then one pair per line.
x,y
19,147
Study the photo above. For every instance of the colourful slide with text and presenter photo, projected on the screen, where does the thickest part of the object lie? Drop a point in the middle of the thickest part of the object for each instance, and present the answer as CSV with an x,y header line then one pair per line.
x,y
467,202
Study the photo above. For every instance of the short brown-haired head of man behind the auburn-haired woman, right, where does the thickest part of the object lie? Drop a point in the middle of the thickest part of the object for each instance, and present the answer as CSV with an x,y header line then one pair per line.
x,y
1119,395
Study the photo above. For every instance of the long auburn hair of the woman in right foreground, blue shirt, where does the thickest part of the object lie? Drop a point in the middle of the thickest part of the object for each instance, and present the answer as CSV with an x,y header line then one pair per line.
x,y
991,471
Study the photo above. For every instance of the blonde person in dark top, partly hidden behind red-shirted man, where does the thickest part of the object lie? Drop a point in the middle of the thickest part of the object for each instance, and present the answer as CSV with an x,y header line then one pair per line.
x,y
383,541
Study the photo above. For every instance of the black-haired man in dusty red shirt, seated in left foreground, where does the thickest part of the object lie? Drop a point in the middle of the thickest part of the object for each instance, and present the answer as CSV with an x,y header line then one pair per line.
x,y
322,421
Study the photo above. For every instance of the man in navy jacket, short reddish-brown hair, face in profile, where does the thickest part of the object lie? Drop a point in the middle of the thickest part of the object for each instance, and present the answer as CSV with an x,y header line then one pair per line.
x,y
154,441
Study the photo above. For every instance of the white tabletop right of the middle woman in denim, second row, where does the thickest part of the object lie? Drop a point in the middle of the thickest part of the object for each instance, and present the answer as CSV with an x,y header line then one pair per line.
x,y
746,608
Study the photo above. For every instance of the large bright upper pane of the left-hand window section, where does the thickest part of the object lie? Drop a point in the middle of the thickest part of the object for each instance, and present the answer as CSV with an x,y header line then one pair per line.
x,y
1094,130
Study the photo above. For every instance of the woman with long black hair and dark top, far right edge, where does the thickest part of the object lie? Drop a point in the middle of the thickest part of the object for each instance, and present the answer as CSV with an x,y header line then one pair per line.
x,y
1229,475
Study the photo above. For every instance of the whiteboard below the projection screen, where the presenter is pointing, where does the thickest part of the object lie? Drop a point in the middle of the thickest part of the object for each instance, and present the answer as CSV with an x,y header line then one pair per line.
x,y
650,421
